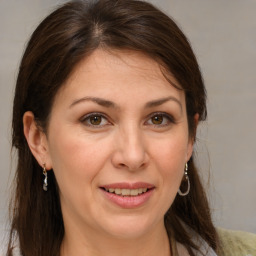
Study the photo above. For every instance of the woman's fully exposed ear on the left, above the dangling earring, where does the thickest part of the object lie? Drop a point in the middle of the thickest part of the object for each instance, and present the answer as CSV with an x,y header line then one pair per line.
x,y
36,139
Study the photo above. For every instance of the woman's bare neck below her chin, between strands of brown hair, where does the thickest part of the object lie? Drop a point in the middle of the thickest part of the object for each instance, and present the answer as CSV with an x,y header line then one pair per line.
x,y
78,243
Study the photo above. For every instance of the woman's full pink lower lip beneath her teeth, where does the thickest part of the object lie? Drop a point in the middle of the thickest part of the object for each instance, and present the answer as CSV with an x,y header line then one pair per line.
x,y
128,202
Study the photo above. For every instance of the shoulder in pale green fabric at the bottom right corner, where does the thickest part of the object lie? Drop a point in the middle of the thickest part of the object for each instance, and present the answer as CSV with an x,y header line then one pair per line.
x,y
236,243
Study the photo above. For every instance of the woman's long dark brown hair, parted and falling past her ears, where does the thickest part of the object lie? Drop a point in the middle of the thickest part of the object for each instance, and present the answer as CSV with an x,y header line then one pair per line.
x,y
68,35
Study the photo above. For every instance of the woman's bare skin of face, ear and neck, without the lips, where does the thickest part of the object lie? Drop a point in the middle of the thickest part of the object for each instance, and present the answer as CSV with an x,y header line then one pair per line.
x,y
133,142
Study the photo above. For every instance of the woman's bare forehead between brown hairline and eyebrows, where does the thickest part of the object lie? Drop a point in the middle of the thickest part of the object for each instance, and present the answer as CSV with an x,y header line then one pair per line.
x,y
115,71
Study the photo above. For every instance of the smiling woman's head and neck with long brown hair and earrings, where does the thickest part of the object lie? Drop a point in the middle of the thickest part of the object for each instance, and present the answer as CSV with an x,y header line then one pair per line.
x,y
107,102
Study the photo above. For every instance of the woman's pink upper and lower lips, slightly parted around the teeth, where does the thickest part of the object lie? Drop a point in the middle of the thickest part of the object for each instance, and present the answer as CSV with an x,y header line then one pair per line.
x,y
128,201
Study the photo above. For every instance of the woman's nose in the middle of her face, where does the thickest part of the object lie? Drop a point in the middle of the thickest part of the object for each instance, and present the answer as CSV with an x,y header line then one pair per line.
x,y
130,150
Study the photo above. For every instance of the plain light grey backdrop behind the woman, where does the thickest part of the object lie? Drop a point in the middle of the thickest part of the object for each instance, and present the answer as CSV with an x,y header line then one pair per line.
x,y
223,36
